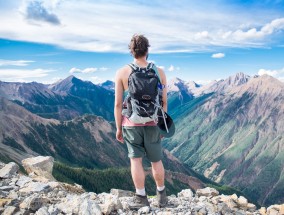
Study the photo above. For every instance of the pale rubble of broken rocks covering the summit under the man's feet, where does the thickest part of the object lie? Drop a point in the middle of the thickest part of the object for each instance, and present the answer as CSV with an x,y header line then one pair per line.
x,y
36,194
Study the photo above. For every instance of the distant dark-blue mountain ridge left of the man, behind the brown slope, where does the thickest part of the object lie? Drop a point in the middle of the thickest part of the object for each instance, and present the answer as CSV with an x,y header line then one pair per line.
x,y
63,100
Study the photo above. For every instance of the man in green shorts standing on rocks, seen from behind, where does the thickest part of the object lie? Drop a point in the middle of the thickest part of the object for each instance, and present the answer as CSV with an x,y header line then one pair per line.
x,y
142,139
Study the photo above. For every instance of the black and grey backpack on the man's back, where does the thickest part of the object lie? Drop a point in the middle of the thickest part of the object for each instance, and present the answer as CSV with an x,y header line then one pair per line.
x,y
144,94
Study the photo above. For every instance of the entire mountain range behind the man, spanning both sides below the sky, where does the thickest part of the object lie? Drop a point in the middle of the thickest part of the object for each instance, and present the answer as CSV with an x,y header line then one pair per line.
x,y
230,131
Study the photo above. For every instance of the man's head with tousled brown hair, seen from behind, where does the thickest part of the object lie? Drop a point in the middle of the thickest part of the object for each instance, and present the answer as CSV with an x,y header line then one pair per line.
x,y
138,46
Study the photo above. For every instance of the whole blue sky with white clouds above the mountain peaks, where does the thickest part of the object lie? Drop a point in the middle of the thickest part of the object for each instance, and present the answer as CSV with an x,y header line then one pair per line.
x,y
47,40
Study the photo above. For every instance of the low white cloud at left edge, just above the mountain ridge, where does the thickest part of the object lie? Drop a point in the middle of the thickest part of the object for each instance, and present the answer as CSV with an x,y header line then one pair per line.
x,y
22,74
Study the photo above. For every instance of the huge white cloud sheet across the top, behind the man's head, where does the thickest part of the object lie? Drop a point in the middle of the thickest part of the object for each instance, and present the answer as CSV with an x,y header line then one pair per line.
x,y
107,26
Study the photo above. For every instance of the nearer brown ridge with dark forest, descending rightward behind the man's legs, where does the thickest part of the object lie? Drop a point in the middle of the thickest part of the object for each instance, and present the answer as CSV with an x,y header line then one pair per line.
x,y
86,141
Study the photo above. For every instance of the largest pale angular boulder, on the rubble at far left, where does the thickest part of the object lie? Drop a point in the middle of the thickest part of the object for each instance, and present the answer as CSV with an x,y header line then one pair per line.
x,y
39,166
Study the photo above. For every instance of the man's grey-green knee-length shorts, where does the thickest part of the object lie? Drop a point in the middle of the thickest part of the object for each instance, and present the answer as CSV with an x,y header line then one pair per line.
x,y
143,141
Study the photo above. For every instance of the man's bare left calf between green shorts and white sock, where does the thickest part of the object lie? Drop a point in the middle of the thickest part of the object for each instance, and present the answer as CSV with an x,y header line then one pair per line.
x,y
137,172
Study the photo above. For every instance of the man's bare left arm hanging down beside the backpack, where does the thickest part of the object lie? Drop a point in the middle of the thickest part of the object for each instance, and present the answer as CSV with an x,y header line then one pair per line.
x,y
118,105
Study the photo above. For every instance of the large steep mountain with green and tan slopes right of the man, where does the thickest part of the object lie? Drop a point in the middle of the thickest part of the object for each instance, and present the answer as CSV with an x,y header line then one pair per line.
x,y
233,134
